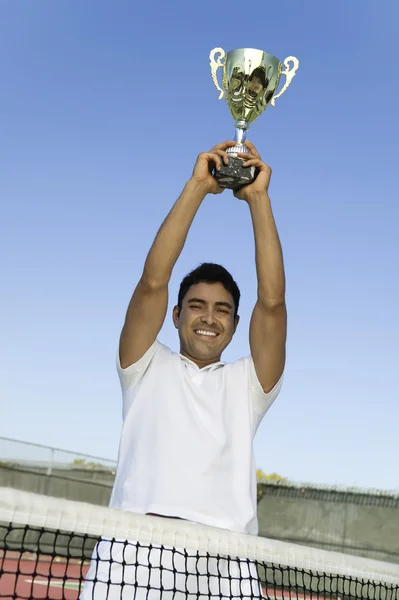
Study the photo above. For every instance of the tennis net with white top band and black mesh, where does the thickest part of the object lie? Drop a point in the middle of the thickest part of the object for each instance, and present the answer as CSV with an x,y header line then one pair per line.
x,y
54,548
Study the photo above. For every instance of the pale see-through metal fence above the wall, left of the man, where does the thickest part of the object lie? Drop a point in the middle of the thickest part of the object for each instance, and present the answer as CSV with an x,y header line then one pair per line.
x,y
49,460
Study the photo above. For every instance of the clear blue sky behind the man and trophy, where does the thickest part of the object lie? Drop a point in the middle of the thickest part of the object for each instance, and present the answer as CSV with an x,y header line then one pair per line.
x,y
104,107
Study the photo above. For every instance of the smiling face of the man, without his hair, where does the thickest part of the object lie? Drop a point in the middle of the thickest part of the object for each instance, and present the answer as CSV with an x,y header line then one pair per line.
x,y
206,322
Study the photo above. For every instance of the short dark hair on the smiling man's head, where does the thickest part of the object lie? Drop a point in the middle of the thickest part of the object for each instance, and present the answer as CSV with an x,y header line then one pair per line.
x,y
210,273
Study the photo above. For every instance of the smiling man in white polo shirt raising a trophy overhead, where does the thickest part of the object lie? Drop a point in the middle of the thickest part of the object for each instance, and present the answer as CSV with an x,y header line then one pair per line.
x,y
186,447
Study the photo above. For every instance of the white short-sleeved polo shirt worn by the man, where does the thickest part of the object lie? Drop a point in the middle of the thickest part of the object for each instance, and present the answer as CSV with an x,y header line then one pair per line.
x,y
186,446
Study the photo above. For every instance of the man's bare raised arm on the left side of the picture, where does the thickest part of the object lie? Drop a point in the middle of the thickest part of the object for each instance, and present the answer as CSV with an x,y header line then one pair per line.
x,y
147,308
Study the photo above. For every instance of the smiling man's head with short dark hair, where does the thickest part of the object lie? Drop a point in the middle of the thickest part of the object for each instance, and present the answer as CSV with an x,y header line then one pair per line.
x,y
206,314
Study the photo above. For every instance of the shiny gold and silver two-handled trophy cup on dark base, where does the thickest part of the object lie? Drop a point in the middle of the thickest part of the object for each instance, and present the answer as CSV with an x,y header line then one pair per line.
x,y
250,79
